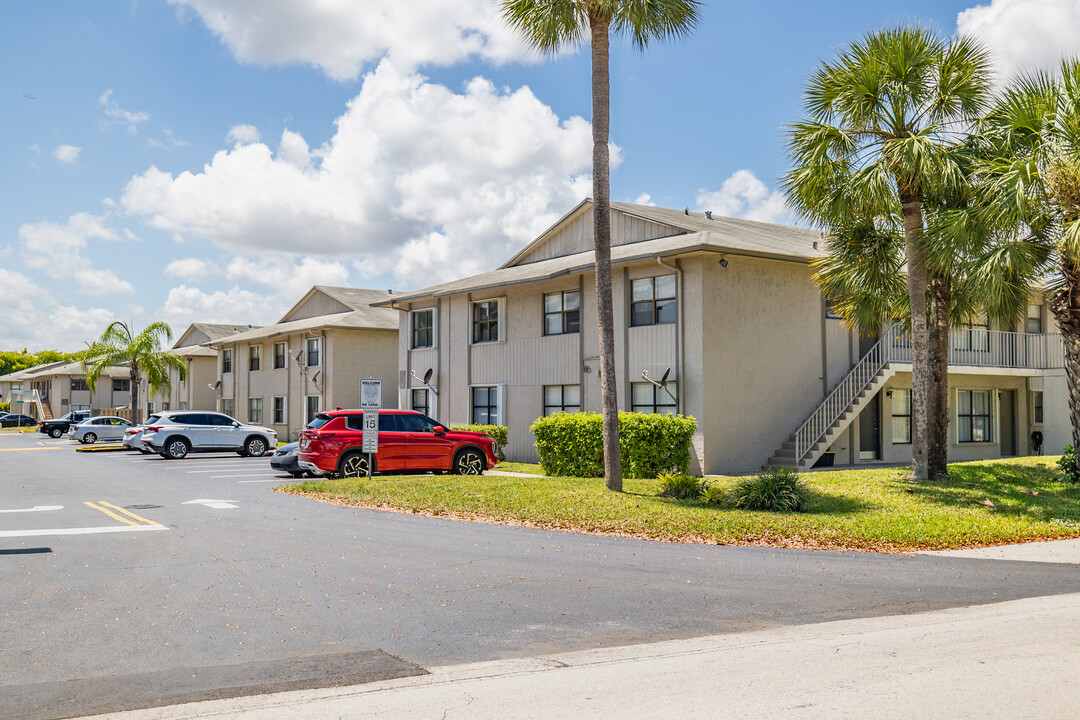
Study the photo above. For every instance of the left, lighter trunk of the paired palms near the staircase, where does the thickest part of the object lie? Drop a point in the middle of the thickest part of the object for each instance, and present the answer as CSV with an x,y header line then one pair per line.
x,y
917,296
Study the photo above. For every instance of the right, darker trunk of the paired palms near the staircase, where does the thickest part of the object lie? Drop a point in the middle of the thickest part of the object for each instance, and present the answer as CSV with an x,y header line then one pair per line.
x,y
941,307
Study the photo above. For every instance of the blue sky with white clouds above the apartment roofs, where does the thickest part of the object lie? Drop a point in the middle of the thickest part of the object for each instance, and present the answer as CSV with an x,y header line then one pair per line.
x,y
209,160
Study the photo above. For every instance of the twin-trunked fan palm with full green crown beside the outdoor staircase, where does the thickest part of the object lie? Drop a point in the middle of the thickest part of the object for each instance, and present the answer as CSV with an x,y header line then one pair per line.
x,y
885,117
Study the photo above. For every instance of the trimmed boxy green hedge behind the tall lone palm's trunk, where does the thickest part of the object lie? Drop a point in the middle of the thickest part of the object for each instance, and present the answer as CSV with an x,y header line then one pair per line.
x,y
572,444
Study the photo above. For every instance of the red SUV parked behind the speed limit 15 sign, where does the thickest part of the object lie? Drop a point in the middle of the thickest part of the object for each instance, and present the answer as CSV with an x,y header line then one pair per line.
x,y
409,443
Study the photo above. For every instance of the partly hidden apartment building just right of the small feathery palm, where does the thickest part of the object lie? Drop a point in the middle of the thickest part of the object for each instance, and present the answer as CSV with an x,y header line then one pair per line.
x,y
198,391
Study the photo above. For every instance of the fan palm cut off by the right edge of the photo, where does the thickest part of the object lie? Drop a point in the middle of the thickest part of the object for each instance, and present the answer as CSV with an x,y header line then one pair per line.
x,y
1032,171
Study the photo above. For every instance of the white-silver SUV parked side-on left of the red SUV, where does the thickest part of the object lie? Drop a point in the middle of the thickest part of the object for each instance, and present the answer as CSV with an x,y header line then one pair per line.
x,y
177,434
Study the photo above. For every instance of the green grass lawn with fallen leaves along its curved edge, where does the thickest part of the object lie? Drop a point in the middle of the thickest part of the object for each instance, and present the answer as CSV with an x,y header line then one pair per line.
x,y
985,504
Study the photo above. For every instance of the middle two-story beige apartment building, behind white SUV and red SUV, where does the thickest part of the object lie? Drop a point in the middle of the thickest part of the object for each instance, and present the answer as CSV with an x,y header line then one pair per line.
x,y
312,360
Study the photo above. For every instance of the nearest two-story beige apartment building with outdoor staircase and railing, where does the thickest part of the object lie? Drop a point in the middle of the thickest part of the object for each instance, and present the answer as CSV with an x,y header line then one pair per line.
x,y
727,313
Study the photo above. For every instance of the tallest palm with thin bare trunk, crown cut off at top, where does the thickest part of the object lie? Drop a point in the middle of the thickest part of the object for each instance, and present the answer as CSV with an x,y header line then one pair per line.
x,y
548,26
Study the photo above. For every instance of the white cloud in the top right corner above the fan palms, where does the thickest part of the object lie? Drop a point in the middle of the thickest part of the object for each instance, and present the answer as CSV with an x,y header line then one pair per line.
x,y
1025,35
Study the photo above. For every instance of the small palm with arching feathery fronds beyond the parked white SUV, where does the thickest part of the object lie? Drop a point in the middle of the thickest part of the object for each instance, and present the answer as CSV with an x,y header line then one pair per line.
x,y
142,355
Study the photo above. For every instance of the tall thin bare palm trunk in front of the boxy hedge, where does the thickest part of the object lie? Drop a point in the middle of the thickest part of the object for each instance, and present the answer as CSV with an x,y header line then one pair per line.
x,y
602,233
